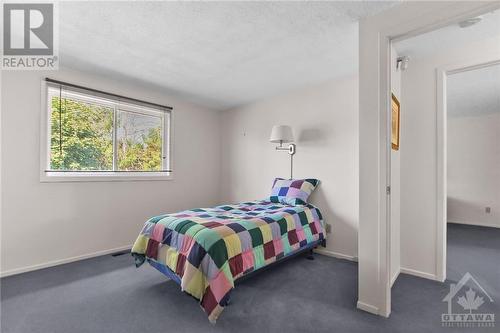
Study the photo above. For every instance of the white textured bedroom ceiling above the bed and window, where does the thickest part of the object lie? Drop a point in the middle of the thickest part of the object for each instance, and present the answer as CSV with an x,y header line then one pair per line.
x,y
220,54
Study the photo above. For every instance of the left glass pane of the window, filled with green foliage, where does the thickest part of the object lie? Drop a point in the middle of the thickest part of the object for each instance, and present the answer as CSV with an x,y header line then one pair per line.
x,y
81,135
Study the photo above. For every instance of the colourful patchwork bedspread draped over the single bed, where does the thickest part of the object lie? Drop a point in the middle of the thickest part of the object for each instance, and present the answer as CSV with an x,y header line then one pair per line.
x,y
209,248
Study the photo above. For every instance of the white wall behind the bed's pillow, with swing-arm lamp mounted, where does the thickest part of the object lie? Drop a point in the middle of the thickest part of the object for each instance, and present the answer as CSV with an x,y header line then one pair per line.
x,y
324,120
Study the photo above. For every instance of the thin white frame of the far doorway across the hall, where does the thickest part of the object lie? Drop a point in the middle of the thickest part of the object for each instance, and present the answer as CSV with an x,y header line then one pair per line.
x,y
442,74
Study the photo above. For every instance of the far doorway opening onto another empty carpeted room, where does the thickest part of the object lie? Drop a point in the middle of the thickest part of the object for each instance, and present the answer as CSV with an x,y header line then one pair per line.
x,y
471,164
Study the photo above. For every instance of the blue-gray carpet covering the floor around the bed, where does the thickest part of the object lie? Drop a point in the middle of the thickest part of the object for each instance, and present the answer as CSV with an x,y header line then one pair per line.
x,y
108,294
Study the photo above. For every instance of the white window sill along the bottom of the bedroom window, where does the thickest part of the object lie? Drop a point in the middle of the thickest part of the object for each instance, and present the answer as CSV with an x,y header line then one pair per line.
x,y
58,177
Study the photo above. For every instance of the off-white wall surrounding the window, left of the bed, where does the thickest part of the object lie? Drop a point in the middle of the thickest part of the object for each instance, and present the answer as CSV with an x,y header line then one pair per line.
x,y
44,223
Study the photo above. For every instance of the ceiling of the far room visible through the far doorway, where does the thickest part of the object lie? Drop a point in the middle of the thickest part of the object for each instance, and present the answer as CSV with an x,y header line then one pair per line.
x,y
474,92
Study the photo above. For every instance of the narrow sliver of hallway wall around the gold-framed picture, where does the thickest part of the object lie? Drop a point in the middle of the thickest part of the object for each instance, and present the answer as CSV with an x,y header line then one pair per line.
x,y
395,178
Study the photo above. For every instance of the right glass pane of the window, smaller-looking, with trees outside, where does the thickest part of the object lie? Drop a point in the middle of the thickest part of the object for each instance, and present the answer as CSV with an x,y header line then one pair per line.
x,y
139,142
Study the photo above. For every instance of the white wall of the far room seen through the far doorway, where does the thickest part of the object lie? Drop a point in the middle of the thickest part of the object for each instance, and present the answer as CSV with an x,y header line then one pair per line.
x,y
474,169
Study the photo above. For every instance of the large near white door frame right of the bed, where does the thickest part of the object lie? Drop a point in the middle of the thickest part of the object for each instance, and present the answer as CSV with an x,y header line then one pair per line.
x,y
376,35
